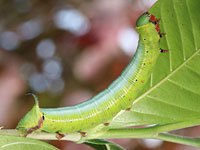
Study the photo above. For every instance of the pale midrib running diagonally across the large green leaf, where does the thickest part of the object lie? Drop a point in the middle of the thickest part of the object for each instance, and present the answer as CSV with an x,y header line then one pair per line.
x,y
166,78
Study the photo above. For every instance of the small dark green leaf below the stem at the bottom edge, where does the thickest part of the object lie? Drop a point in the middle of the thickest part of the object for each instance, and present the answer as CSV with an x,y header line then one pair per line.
x,y
103,145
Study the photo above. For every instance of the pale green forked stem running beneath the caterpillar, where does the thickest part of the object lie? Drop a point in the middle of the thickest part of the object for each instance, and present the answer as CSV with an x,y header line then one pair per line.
x,y
154,132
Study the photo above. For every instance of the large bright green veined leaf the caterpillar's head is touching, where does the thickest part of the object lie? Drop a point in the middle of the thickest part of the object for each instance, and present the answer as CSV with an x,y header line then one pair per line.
x,y
173,92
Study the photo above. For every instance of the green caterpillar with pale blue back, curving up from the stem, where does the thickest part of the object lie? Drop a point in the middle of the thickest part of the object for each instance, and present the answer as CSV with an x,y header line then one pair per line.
x,y
103,107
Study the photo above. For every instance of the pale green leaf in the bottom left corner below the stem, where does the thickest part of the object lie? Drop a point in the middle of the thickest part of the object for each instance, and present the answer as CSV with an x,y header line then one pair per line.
x,y
21,143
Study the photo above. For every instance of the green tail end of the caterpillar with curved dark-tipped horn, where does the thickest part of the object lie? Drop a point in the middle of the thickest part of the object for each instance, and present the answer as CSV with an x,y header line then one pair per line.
x,y
33,119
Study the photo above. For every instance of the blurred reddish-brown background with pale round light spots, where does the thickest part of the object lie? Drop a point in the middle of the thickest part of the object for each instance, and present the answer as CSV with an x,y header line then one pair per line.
x,y
66,51
